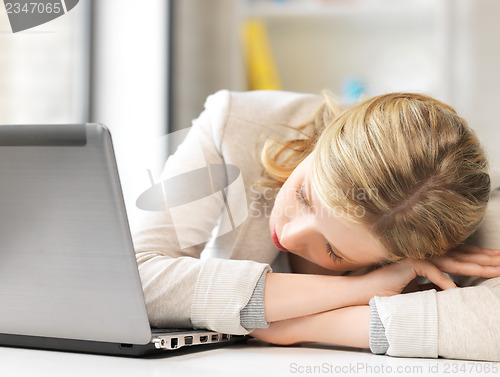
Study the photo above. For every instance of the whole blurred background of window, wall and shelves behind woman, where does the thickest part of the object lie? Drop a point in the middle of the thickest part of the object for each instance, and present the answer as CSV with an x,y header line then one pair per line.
x,y
144,68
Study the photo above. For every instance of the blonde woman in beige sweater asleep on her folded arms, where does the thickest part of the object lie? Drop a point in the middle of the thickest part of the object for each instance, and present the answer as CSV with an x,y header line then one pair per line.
x,y
398,177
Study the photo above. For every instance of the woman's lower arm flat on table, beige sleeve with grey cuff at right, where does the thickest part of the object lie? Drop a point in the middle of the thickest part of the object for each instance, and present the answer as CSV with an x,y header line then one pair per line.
x,y
407,324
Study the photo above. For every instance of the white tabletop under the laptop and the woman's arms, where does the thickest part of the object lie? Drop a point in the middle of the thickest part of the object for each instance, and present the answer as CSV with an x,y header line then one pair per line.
x,y
249,359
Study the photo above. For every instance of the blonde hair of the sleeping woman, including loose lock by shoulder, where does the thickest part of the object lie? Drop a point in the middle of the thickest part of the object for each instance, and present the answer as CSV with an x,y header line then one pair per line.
x,y
403,165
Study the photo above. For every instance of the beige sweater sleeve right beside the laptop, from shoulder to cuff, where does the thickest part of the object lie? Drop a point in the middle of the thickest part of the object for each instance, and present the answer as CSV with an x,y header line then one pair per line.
x,y
180,289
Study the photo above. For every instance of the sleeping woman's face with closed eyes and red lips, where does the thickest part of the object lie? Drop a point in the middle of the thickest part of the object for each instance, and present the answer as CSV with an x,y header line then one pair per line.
x,y
302,225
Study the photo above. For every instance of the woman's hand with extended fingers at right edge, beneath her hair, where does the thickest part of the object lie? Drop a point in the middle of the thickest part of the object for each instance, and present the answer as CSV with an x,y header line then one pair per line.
x,y
470,260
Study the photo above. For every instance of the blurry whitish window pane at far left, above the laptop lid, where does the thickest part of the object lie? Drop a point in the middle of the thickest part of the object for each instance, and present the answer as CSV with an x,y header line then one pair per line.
x,y
44,70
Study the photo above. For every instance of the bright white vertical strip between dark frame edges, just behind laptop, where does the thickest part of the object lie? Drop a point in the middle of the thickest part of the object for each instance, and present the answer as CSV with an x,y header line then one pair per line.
x,y
129,89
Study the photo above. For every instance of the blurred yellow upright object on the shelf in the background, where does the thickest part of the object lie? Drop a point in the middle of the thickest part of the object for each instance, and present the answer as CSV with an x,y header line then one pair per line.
x,y
262,72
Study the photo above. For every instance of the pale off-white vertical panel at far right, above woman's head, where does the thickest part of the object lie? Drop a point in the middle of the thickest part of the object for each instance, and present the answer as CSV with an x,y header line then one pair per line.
x,y
476,84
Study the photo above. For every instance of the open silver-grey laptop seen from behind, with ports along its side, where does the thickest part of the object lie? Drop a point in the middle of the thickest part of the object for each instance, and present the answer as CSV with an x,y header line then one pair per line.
x,y
68,275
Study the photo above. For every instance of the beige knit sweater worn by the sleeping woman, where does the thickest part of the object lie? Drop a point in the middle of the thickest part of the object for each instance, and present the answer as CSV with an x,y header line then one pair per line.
x,y
188,281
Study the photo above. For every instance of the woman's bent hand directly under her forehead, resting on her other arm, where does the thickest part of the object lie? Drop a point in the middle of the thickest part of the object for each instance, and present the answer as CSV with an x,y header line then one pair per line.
x,y
392,279
